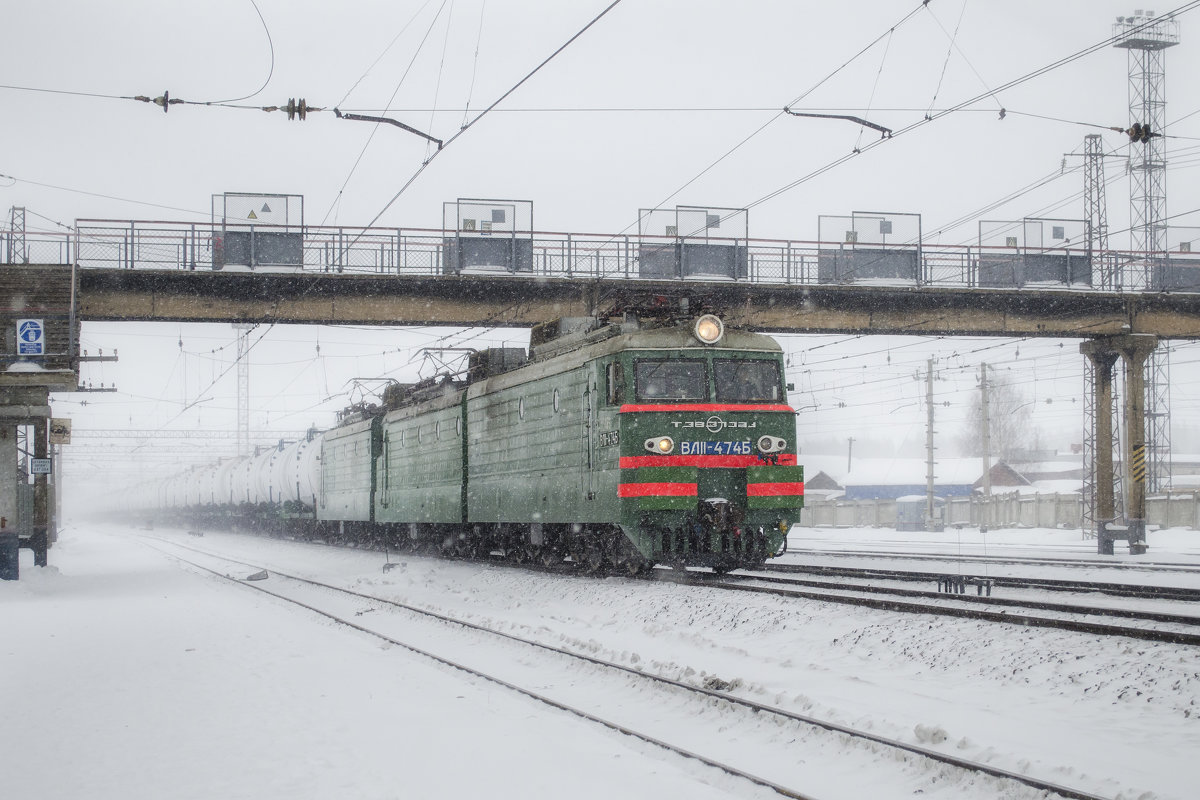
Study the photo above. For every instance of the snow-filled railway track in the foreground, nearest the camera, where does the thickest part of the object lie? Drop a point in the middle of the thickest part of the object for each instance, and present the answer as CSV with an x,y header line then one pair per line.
x,y
339,604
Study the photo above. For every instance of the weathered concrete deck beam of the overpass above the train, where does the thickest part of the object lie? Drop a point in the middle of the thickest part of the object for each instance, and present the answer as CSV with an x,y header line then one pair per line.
x,y
519,302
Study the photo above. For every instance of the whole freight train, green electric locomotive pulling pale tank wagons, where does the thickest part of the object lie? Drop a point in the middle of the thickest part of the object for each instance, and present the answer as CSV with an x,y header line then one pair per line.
x,y
617,444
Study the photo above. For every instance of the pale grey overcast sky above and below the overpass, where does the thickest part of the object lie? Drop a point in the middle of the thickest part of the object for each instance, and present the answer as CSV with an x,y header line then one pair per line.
x,y
628,118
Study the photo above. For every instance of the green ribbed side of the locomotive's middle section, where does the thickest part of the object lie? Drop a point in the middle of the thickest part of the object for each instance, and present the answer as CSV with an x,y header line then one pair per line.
x,y
421,464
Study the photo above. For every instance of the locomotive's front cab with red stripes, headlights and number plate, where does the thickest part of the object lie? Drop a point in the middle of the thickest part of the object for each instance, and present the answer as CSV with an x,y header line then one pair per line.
x,y
709,471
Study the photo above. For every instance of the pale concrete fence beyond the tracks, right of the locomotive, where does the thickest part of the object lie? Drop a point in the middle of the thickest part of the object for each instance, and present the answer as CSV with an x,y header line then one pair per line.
x,y
1013,510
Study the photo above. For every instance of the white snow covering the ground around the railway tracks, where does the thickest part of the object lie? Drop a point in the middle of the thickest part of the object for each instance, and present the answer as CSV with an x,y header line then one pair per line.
x,y
129,676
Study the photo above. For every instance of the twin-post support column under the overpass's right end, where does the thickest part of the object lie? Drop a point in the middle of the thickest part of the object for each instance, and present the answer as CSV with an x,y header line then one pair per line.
x,y
1133,350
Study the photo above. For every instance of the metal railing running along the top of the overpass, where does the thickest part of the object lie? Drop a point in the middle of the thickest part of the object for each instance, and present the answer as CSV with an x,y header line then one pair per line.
x,y
160,245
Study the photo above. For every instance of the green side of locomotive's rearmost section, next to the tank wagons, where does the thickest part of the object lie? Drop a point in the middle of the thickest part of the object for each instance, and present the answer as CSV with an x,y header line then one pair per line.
x,y
349,456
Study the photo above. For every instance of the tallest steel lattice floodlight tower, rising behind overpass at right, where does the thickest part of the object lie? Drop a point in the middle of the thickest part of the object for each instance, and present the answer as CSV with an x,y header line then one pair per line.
x,y
1145,38
